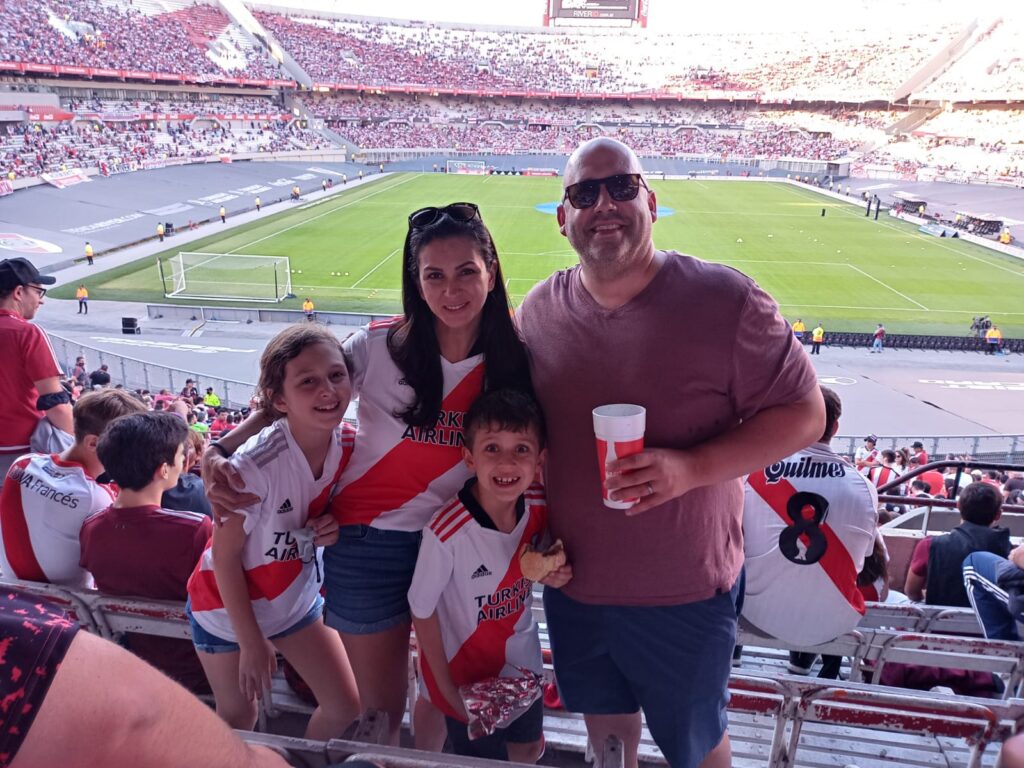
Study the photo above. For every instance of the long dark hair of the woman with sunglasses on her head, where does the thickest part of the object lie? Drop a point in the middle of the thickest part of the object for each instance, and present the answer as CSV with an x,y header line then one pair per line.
x,y
413,344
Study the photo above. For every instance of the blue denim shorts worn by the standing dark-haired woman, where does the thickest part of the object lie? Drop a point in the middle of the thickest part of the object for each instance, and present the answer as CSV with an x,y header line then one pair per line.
x,y
367,576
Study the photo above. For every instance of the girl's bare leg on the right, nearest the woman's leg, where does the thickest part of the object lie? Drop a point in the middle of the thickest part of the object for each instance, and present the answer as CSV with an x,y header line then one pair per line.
x,y
317,654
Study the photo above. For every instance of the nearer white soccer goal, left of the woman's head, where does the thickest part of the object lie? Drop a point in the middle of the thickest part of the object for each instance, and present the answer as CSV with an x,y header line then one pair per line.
x,y
227,277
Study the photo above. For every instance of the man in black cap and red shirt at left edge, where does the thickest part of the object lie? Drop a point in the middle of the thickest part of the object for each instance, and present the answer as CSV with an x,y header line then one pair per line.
x,y
30,377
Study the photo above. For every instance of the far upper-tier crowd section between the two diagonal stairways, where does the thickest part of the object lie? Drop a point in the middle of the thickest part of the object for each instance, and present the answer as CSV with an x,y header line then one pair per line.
x,y
847,65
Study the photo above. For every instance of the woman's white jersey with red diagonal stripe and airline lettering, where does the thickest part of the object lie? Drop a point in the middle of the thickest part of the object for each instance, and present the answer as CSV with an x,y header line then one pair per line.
x,y
402,476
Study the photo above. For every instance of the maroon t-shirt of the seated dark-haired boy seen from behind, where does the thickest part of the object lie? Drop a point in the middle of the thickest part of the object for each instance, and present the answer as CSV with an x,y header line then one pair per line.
x,y
149,552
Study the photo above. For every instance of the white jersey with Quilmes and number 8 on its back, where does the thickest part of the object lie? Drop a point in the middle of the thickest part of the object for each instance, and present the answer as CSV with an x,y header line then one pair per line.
x,y
809,523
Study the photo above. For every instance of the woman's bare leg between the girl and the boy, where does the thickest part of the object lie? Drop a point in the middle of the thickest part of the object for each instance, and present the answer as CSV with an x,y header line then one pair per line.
x,y
380,662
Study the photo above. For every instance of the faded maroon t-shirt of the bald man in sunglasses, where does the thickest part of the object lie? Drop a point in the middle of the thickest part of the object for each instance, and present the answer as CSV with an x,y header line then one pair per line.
x,y
703,349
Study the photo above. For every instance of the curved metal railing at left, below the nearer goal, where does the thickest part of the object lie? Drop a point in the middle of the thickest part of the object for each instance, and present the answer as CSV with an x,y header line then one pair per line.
x,y
137,374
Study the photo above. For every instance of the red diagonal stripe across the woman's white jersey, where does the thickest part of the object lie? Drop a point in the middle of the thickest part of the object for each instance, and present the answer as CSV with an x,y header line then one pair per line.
x,y
376,492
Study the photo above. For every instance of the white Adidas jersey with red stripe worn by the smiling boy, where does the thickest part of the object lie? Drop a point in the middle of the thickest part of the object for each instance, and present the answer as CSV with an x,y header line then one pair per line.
x,y
470,573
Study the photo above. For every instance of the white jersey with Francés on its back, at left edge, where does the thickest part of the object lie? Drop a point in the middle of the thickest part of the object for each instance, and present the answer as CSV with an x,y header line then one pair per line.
x,y
46,501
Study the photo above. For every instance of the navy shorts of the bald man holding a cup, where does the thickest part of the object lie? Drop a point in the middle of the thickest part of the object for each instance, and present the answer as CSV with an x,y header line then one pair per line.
x,y
672,661
